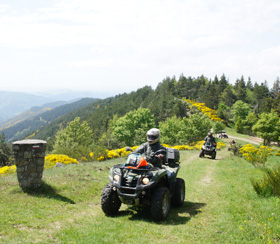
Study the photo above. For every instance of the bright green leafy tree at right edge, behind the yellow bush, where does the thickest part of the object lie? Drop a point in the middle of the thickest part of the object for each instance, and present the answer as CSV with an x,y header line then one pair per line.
x,y
268,127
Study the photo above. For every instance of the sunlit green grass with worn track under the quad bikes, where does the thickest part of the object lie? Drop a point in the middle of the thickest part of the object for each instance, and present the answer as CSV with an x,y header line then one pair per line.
x,y
220,207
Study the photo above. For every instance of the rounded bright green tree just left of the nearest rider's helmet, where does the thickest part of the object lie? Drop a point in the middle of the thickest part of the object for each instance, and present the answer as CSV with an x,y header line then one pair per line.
x,y
131,129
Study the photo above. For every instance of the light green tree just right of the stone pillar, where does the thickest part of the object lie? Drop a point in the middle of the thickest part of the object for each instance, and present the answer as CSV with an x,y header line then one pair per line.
x,y
74,140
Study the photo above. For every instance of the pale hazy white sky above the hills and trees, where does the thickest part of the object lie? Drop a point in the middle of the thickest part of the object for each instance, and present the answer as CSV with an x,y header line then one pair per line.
x,y
119,46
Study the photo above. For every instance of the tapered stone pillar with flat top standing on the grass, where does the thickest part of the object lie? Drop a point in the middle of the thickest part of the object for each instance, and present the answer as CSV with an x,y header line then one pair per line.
x,y
29,158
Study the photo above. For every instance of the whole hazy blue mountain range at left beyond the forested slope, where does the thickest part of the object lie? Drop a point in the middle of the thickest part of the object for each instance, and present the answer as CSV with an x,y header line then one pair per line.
x,y
21,113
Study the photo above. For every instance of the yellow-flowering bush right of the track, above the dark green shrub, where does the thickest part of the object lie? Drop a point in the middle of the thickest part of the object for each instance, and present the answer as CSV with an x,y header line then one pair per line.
x,y
254,155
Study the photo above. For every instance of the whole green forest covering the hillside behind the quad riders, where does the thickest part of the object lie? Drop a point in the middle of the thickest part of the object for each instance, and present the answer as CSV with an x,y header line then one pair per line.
x,y
116,121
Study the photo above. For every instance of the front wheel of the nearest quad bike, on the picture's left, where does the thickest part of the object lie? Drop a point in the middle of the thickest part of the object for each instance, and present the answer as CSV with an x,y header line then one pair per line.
x,y
110,202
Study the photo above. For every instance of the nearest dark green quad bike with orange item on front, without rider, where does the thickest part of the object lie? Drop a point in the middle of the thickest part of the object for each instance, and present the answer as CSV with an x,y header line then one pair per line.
x,y
138,183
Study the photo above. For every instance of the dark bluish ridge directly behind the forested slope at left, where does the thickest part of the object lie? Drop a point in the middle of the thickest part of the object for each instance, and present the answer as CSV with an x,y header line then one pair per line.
x,y
24,128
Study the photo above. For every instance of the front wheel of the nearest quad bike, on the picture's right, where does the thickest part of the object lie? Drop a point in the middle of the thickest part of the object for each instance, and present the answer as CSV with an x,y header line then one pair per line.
x,y
160,204
